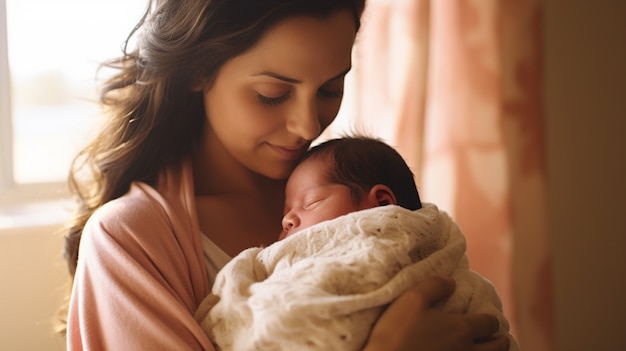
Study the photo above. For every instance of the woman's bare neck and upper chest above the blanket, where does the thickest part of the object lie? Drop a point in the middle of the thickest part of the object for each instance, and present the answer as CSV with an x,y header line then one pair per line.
x,y
236,208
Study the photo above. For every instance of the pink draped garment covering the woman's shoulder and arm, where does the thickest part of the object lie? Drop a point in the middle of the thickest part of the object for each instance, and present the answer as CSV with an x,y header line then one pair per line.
x,y
141,272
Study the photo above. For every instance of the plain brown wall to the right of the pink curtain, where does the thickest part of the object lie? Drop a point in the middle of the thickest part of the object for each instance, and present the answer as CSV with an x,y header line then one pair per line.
x,y
585,51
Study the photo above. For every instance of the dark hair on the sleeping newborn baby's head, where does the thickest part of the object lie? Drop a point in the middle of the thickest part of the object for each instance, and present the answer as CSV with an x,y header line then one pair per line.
x,y
360,162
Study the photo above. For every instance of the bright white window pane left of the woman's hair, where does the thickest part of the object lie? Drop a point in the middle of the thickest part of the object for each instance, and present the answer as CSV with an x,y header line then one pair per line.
x,y
54,49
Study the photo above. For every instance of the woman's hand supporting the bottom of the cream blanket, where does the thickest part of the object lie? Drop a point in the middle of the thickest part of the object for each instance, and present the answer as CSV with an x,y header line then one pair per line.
x,y
412,323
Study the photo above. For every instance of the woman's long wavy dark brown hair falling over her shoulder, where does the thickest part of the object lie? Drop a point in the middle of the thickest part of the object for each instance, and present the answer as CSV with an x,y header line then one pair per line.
x,y
154,117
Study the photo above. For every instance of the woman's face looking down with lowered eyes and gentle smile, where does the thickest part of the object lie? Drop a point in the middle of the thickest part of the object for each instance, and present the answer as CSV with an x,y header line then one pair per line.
x,y
267,105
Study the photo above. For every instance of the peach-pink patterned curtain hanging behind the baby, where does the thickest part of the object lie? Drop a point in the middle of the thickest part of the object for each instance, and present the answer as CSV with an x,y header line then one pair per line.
x,y
456,86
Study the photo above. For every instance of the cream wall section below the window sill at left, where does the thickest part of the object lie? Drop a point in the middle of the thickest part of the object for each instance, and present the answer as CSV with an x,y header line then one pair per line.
x,y
33,283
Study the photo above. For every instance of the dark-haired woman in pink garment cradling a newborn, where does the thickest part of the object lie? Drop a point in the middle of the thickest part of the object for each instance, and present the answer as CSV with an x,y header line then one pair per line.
x,y
208,118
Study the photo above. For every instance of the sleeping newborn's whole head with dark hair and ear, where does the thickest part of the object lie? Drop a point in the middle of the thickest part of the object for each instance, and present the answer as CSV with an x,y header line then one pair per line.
x,y
344,175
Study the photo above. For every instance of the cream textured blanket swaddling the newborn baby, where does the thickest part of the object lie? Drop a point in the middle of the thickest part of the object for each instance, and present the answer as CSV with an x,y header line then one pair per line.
x,y
324,287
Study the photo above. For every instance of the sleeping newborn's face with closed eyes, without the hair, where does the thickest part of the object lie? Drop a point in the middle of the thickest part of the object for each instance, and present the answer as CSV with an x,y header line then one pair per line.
x,y
310,198
